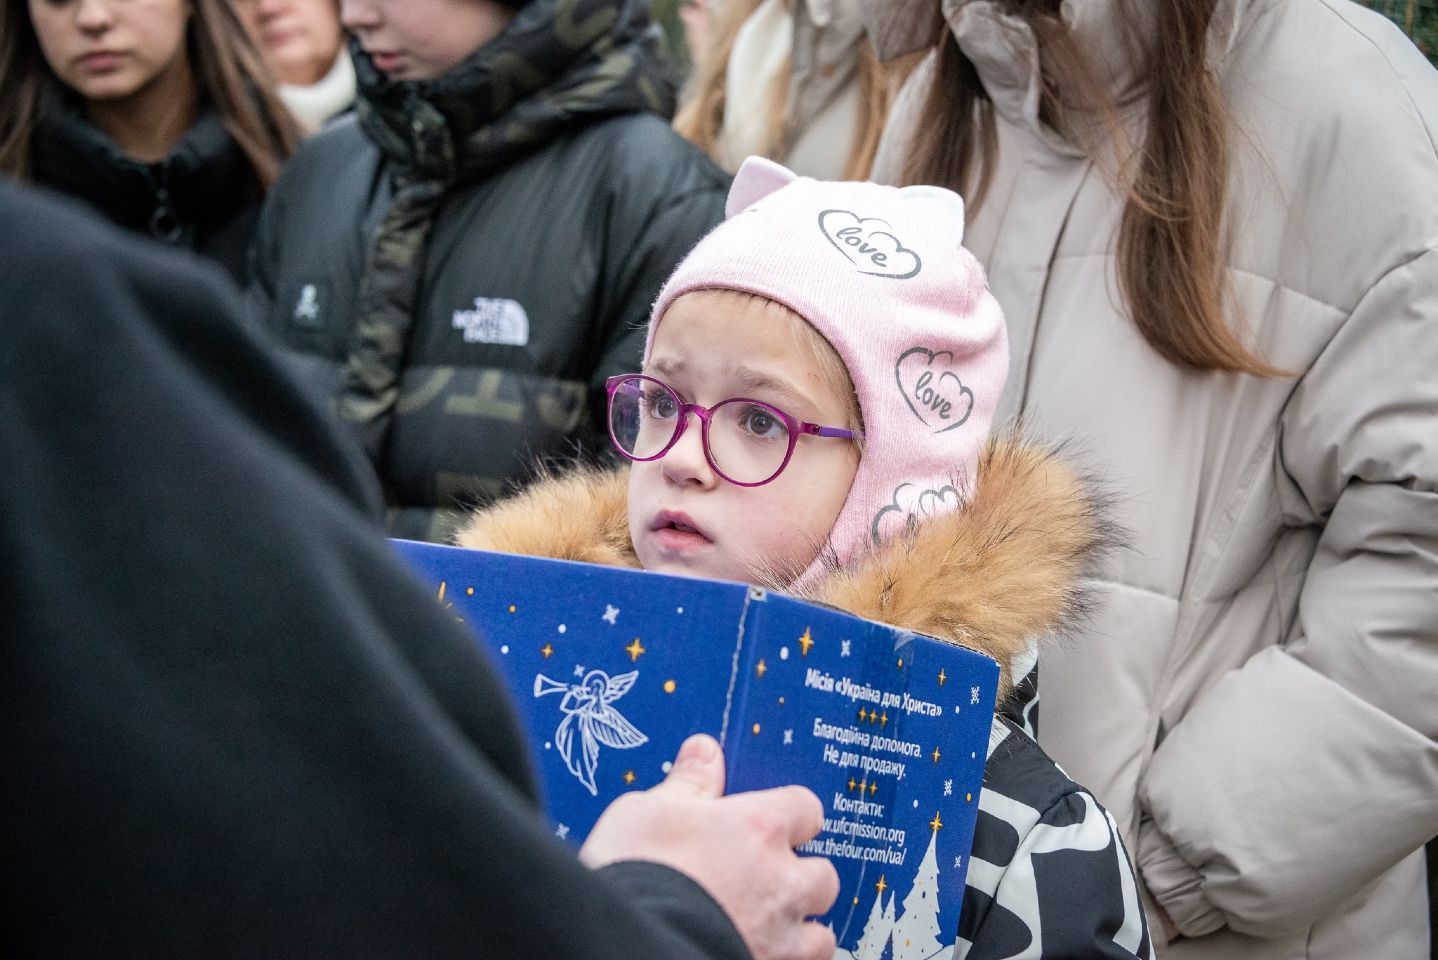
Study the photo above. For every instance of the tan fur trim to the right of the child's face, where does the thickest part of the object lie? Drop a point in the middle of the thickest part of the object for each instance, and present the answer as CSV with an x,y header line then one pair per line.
x,y
996,576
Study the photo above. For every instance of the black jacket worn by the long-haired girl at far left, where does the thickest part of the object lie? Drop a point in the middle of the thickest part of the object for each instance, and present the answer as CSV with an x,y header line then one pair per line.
x,y
203,198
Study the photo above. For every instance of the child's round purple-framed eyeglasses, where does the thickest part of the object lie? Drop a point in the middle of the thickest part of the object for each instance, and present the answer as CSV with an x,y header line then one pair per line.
x,y
747,442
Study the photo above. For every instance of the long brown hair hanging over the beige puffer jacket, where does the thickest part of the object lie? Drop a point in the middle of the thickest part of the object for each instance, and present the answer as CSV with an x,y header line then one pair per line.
x,y
1171,239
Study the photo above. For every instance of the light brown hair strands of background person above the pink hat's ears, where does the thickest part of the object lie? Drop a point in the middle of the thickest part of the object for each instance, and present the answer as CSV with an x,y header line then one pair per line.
x,y
701,116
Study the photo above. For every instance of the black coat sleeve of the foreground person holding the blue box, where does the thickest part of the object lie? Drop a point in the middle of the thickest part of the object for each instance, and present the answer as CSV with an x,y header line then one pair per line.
x,y
235,725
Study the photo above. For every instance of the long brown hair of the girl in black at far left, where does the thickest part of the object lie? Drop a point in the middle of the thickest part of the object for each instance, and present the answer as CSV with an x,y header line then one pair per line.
x,y
229,68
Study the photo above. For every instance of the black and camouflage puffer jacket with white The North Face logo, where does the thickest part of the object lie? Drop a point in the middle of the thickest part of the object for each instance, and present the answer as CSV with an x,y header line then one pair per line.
x,y
534,278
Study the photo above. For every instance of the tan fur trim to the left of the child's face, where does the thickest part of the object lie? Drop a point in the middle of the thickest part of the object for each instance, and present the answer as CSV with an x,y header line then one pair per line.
x,y
577,517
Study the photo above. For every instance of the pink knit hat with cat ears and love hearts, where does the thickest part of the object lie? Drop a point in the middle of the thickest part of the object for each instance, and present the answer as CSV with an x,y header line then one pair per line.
x,y
881,275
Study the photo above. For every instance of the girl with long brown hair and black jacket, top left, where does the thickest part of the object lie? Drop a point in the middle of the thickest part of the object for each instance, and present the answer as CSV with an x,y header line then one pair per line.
x,y
159,113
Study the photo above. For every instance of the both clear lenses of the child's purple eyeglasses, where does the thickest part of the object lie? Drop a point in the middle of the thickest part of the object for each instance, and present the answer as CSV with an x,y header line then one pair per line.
x,y
747,440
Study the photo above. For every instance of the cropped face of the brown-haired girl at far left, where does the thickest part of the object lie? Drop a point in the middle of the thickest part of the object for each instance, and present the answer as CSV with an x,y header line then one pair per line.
x,y
111,50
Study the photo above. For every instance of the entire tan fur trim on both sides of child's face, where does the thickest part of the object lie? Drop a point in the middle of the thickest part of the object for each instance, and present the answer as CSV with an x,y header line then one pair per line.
x,y
999,576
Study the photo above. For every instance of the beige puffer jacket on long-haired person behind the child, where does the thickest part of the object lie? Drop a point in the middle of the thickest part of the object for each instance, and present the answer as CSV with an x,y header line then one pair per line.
x,y
1258,702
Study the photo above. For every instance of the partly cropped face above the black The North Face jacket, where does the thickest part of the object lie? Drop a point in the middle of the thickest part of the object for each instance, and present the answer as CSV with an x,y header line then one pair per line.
x,y
422,40
